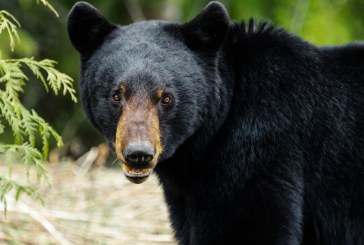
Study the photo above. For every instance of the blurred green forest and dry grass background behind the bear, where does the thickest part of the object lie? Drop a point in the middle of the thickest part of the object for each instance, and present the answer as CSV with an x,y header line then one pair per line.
x,y
100,206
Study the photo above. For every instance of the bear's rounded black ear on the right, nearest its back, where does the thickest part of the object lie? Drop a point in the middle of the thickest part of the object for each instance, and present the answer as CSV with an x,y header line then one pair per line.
x,y
208,29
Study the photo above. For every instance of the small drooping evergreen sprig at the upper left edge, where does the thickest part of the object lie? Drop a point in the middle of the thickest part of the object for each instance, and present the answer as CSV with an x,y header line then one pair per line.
x,y
10,24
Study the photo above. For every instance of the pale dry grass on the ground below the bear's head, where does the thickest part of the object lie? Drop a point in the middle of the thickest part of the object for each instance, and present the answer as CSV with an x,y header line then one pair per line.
x,y
98,207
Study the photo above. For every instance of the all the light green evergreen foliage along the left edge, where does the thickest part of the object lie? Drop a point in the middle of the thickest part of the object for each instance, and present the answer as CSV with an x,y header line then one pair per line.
x,y
31,133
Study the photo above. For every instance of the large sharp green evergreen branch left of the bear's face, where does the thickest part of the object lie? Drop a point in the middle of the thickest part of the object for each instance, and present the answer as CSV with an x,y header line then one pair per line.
x,y
26,124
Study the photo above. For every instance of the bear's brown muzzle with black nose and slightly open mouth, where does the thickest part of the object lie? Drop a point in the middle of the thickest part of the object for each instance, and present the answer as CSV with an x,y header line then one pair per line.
x,y
138,140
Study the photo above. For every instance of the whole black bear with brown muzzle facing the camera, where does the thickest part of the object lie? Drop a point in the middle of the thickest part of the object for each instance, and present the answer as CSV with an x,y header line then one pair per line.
x,y
256,136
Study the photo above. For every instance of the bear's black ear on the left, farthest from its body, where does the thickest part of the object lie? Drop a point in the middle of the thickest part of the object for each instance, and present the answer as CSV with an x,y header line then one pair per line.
x,y
87,28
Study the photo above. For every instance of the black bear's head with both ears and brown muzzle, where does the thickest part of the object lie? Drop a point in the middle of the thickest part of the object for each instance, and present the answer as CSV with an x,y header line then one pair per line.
x,y
147,86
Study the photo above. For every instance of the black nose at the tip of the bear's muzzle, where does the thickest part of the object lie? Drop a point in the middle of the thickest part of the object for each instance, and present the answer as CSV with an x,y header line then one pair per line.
x,y
138,154
